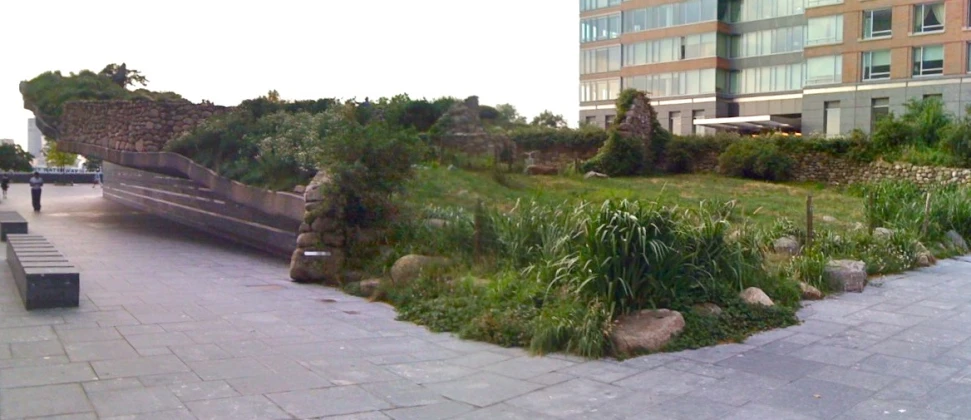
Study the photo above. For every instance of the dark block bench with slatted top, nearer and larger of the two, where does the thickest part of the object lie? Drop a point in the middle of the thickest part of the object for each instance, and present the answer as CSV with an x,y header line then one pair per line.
x,y
45,278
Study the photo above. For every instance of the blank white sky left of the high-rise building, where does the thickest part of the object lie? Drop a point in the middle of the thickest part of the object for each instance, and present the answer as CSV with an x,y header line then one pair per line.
x,y
523,52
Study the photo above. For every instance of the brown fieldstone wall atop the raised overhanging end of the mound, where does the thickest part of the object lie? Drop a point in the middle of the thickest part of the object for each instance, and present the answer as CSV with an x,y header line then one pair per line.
x,y
135,126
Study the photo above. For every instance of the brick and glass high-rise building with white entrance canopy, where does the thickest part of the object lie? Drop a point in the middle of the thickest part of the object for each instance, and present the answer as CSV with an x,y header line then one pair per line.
x,y
809,66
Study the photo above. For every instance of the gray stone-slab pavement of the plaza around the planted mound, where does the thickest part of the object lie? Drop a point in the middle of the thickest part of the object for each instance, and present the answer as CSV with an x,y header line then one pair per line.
x,y
174,325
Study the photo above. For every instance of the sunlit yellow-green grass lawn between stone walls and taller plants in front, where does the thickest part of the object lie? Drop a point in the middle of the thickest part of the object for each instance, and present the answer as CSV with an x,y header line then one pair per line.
x,y
763,202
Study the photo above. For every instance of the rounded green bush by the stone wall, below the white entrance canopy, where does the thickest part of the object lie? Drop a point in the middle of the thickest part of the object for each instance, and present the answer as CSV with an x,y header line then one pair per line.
x,y
755,159
